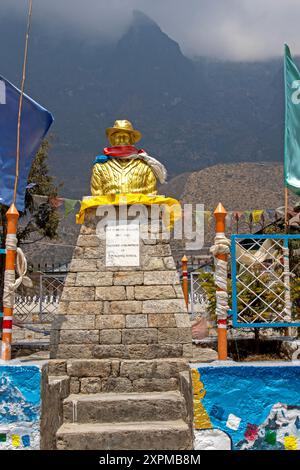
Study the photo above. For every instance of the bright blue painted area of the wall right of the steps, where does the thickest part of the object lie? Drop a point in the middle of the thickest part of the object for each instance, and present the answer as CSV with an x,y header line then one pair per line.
x,y
248,393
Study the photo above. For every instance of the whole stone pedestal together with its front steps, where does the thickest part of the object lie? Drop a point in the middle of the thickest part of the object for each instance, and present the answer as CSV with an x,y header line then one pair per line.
x,y
122,338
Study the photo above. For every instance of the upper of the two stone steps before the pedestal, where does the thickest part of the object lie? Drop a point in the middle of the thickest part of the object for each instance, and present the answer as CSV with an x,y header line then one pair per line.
x,y
123,407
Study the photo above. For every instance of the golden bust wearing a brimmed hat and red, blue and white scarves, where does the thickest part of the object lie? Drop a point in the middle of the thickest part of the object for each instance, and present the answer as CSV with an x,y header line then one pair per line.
x,y
124,169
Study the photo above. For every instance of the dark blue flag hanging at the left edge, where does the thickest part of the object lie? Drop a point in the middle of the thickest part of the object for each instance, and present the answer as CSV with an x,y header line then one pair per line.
x,y
35,123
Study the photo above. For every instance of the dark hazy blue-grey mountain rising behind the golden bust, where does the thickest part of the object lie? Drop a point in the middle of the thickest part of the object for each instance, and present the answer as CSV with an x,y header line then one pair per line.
x,y
192,113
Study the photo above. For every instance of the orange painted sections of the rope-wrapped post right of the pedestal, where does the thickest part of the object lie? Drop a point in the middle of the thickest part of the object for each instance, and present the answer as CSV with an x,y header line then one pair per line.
x,y
220,215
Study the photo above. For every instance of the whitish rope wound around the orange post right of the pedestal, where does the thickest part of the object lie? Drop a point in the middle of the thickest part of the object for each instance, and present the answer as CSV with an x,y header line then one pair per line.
x,y
221,247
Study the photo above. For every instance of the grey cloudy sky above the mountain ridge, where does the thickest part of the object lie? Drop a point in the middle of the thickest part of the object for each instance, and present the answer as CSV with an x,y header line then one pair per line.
x,y
226,29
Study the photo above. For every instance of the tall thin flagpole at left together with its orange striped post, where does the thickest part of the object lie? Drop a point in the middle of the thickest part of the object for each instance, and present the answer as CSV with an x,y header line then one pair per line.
x,y
12,216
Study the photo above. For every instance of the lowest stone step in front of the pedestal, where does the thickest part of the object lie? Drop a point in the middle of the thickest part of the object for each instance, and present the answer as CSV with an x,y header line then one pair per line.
x,y
162,435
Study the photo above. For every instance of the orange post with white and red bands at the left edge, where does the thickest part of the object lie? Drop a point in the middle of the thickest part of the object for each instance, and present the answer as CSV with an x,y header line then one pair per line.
x,y
12,216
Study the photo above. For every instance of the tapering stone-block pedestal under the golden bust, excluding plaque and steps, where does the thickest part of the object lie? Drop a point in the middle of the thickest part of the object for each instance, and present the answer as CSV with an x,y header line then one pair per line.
x,y
129,312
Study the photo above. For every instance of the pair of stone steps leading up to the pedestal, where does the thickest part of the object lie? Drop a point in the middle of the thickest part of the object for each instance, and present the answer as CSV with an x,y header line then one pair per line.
x,y
125,421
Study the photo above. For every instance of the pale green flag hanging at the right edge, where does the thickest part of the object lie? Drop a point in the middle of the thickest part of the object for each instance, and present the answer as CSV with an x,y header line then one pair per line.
x,y
292,123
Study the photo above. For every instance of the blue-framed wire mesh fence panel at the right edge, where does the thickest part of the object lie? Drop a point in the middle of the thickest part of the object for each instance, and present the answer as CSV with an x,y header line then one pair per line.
x,y
265,280
